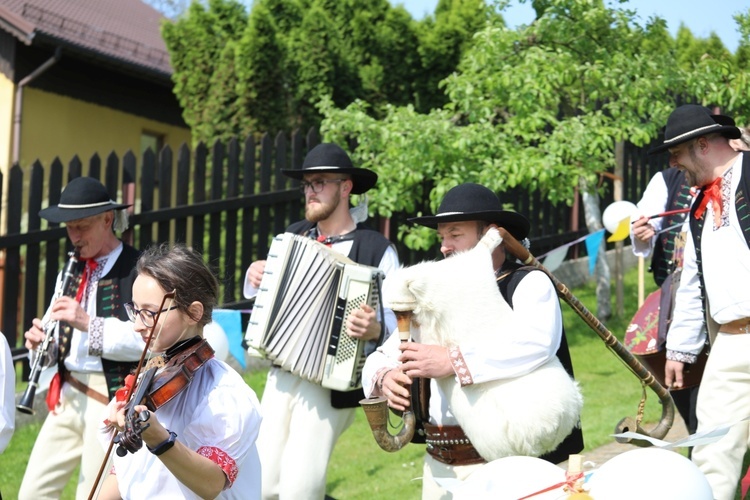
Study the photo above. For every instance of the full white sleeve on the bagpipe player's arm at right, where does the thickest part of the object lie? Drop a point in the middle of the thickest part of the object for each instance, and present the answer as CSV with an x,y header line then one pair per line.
x,y
532,337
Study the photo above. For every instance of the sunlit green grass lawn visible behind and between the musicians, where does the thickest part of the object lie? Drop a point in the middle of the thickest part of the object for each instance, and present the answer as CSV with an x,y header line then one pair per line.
x,y
360,469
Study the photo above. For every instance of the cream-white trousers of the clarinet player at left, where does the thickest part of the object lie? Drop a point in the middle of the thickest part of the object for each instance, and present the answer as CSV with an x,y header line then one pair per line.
x,y
68,437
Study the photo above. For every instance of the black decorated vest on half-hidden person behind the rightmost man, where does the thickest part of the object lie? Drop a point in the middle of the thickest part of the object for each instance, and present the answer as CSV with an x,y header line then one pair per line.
x,y
678,196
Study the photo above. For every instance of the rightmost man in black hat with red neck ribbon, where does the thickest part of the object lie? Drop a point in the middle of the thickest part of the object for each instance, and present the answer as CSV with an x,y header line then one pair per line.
x,y
713,287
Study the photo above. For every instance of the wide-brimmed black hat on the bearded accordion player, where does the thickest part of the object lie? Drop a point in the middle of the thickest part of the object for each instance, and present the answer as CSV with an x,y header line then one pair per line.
x,y
329,158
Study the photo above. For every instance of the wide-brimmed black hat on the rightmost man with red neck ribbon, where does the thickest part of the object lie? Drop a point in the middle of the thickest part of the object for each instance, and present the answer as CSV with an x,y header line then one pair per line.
x,y
690,121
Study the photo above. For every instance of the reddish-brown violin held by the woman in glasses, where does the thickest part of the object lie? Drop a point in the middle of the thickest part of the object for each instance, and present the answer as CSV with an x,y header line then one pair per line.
x,y
157,388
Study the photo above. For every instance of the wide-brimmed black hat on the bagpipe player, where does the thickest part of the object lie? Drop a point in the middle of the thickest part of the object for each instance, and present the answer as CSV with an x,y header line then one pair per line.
x,y
475,202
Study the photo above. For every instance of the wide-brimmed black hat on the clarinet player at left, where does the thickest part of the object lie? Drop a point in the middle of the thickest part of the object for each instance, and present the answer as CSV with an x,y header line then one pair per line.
x,y
82,197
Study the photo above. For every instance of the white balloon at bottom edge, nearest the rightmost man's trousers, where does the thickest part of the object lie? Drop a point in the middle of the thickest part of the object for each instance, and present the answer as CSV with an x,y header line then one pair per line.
x,y
649,473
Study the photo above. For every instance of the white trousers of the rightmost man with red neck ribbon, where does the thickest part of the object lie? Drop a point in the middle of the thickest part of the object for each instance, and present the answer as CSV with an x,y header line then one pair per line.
x,y
724,397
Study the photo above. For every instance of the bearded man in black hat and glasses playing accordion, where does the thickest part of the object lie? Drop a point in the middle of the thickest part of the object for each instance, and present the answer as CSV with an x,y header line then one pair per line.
x,y
302,421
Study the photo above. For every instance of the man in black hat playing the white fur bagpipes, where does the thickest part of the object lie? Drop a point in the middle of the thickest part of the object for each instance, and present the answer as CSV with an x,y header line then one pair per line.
x,y
465,214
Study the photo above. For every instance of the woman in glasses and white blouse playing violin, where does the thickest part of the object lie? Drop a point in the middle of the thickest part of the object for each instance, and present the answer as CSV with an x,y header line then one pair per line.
x,y
200,443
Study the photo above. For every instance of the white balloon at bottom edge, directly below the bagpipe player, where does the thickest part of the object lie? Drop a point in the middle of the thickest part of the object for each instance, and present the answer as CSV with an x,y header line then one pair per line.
x,y
511,478
